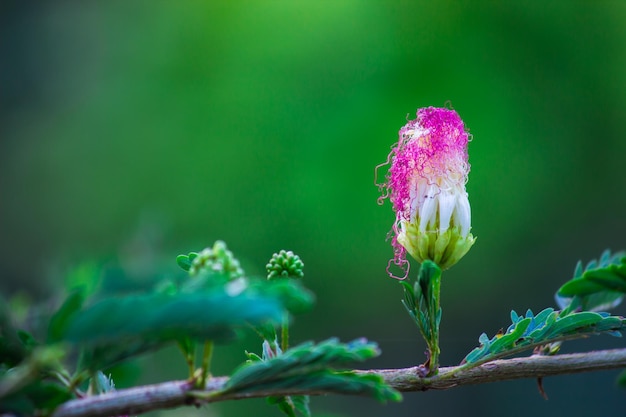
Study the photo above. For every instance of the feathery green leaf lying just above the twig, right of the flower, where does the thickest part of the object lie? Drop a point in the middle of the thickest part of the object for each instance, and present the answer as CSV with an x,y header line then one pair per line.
x,y
547,327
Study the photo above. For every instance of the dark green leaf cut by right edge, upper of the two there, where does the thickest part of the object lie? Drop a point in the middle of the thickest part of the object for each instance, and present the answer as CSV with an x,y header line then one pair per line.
x,y
601,285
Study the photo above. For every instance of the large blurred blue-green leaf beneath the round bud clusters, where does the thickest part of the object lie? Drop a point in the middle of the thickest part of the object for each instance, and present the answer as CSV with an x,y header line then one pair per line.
x,y
117,328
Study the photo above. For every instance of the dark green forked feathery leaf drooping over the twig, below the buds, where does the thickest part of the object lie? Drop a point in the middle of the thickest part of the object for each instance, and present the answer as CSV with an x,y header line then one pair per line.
x,y
307,367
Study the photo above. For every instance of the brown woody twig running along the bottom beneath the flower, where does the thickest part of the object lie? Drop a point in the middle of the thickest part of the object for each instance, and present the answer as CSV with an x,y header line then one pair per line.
x,y
179,393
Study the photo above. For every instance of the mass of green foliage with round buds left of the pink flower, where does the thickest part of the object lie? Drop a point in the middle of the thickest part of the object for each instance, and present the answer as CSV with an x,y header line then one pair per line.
x,y
212,304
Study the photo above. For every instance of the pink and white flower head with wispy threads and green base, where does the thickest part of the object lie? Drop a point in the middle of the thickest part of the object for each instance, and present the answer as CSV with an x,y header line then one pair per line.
x,y
426,185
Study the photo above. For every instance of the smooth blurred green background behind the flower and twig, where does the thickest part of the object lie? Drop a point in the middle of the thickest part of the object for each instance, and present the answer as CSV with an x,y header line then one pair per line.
x,y
135,131
